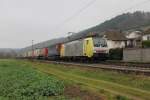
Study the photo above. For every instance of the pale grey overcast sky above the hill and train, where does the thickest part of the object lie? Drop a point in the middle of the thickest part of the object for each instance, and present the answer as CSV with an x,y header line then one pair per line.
x,y
24,20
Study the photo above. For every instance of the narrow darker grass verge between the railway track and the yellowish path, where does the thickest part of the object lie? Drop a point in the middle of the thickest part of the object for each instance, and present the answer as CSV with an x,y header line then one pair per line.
x,y
132,80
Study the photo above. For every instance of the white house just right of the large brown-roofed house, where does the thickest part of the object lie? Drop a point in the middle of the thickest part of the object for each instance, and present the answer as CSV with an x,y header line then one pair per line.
x,y
134,39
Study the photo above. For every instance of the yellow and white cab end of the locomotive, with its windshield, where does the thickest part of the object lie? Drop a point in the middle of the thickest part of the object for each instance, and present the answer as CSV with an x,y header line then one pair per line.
x,y
95,47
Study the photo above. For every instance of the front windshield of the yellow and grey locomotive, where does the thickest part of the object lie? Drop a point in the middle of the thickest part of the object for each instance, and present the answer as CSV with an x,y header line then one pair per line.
x,y
99,42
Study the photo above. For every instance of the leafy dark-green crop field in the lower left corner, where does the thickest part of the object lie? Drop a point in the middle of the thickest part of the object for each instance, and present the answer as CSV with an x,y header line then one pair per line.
x,y
19,81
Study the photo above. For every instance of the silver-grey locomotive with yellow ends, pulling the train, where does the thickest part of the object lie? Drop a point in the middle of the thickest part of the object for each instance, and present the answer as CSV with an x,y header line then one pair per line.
x,y
91,47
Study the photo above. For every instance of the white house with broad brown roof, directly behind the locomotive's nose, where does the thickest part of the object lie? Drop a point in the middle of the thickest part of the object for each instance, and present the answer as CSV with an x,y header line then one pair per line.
x,y
115,39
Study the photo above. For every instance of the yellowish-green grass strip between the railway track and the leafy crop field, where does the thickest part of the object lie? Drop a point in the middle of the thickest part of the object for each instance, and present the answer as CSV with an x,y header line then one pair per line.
x,y
112,85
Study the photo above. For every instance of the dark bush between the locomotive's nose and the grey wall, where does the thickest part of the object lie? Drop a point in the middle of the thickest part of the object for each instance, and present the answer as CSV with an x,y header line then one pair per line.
x,y
116,54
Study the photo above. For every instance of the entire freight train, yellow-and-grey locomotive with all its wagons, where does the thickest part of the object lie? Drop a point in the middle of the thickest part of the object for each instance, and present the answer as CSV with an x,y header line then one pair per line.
x,y
87,48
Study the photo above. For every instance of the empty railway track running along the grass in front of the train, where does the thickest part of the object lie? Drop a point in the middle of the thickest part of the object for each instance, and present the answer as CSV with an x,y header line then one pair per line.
x,y
125,69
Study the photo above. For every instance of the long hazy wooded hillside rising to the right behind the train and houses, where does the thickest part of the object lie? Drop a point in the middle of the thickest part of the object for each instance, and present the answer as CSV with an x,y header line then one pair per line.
x,y
122,22
